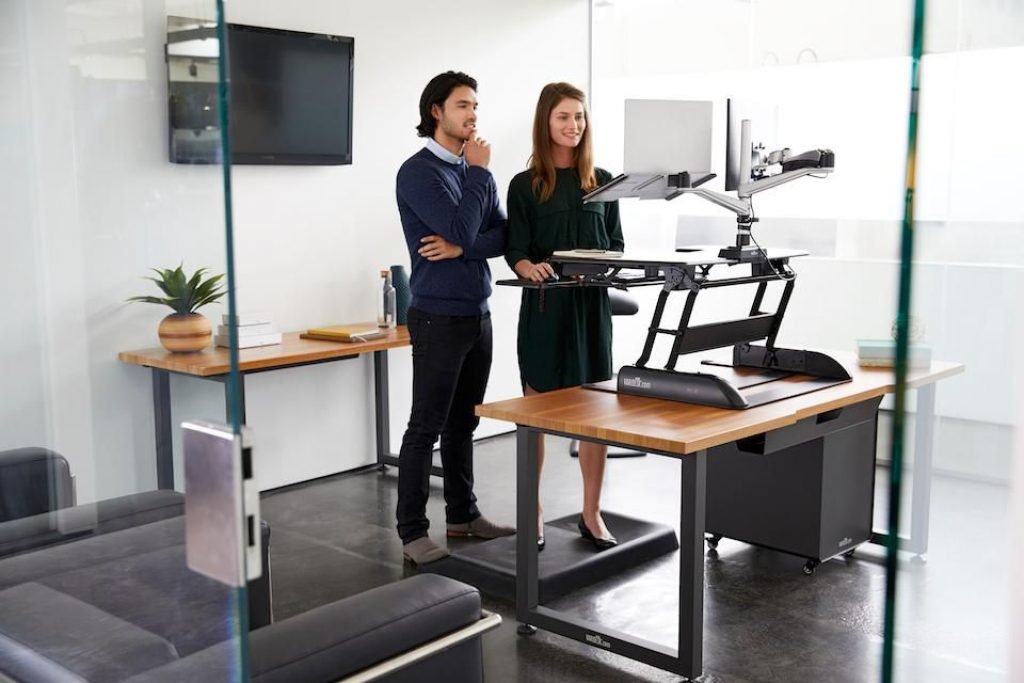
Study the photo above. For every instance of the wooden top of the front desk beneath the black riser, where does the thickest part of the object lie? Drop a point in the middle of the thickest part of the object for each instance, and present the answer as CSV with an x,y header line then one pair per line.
x,y
656,424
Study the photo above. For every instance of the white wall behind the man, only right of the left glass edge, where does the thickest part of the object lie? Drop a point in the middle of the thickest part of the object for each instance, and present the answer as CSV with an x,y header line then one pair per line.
x,y
310,242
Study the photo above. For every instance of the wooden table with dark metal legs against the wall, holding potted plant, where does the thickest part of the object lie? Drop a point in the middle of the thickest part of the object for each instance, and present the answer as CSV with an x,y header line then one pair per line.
x,y
293,352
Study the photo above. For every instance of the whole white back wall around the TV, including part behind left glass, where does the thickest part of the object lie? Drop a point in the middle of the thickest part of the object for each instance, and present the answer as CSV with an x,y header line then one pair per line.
x,y
93,203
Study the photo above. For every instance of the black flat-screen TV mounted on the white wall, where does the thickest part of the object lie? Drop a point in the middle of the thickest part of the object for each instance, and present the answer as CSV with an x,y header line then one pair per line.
x,y
290,97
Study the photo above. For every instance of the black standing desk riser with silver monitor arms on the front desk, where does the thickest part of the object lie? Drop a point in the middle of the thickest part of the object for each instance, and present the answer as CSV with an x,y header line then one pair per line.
x,y
591,270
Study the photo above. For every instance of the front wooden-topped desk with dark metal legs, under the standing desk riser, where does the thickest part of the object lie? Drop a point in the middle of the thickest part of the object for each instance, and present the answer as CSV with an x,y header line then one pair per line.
x,y
688,433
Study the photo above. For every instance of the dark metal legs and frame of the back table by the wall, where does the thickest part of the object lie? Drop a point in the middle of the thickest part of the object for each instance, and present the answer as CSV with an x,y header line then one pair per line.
x,y
164,429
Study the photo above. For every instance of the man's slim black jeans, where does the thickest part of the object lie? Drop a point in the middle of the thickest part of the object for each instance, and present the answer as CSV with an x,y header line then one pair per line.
x,y
451,366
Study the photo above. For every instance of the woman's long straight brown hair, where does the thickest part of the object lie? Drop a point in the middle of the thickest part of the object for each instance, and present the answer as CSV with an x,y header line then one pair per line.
x,y
542,165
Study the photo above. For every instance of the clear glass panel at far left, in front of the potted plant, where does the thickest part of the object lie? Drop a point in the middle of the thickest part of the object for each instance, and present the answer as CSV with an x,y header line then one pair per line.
x,y
95,583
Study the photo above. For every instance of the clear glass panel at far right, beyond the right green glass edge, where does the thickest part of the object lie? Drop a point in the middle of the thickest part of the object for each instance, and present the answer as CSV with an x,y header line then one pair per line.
x,y
953,613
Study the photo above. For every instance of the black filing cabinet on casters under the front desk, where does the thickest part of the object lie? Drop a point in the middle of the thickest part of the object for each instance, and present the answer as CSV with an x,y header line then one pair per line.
x,y
806,490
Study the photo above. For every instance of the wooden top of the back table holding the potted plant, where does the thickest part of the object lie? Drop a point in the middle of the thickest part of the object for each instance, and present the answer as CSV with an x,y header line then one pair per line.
x,y
291,352
